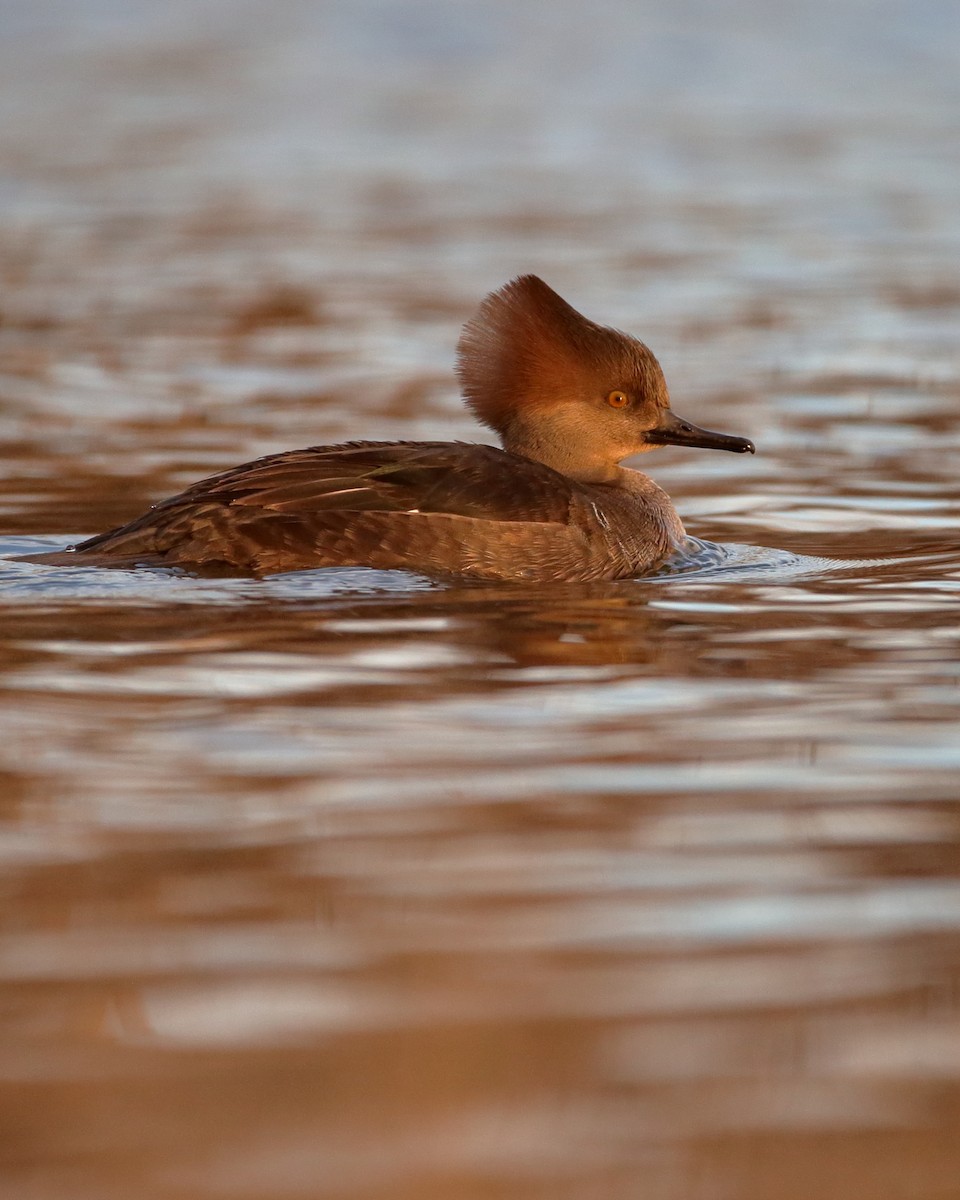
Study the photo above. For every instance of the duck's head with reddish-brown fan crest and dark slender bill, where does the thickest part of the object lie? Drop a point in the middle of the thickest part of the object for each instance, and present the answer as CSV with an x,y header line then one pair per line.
x,y
566,392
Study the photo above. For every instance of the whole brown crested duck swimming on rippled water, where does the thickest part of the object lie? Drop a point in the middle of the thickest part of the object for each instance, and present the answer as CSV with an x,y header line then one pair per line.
x,y
569,399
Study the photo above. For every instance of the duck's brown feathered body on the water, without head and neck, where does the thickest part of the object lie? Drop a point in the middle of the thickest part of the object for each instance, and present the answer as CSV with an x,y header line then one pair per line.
x,y
431,507
